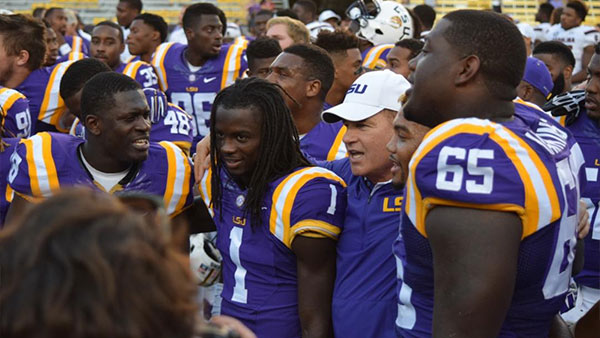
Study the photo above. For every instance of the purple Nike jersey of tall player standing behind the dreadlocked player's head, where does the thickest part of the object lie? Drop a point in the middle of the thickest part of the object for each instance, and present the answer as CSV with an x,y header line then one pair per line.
x,y
195,91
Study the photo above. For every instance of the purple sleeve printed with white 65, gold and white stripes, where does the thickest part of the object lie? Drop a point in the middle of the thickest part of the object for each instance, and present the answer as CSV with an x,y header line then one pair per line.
x,y
473,163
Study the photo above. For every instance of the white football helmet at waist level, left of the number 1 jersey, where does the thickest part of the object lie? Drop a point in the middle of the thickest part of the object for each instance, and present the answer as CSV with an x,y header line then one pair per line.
x,y
205,260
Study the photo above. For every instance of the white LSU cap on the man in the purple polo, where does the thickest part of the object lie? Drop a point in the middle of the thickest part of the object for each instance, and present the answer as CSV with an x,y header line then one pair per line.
x,y
369,94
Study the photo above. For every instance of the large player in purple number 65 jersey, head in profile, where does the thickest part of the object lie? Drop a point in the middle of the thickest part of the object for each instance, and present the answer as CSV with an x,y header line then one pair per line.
x,y
491,199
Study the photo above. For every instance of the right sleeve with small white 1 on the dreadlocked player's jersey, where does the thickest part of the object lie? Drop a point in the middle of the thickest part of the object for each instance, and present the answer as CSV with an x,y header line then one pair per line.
x,y
310,202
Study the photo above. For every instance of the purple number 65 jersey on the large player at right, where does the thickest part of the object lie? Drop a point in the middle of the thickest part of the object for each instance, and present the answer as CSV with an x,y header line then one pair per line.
x,y
529,166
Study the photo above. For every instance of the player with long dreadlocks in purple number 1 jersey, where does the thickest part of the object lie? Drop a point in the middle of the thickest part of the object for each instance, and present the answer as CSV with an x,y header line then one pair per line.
x,y
277,217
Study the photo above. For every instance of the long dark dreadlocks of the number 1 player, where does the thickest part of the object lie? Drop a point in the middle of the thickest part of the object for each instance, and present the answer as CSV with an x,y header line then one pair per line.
x,y
279,151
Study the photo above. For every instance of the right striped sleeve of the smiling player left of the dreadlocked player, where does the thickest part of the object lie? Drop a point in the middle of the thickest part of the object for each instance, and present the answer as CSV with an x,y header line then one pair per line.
x,y
178,192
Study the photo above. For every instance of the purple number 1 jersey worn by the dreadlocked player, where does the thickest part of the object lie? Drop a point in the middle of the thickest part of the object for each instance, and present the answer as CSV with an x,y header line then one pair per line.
x,y
259,267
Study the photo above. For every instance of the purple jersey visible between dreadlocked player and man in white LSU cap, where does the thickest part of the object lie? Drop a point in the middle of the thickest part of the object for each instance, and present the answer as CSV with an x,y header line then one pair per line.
x,y
324,141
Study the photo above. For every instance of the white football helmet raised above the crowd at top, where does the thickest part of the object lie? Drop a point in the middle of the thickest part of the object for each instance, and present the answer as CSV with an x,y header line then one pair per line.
x,y
380,22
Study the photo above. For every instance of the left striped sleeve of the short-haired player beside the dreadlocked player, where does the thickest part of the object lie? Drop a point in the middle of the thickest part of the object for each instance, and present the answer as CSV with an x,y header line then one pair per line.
x,y
33,171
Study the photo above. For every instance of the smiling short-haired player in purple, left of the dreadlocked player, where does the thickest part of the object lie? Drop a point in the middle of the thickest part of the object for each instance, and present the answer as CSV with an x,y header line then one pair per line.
x,y
115,156
